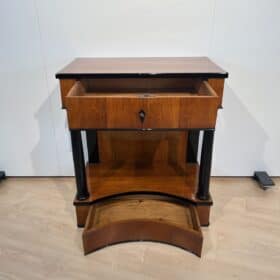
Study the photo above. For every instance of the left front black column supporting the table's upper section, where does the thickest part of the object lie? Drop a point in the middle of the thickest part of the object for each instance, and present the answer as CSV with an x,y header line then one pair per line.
x,y
79,164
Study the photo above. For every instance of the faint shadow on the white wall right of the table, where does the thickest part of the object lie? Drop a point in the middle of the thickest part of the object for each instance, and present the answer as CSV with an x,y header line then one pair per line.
x,y
240,140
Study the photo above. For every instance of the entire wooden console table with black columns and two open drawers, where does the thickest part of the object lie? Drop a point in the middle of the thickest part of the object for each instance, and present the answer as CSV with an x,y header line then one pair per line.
x,y
142,119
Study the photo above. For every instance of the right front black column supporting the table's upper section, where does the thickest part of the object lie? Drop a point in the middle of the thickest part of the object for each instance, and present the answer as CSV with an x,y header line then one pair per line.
x,y
205,165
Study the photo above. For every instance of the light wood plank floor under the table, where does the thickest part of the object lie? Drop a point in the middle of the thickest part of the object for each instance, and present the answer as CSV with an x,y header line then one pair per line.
x,y
39,238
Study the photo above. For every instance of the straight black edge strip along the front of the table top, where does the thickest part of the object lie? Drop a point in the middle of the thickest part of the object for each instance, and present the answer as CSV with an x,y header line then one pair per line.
x,y
139,75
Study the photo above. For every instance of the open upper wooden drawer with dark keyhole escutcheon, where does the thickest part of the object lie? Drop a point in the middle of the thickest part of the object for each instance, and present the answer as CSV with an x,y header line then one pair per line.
x,y
193,105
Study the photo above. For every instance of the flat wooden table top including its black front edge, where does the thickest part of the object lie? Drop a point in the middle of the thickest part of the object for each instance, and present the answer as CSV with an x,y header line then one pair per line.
x,y
142,66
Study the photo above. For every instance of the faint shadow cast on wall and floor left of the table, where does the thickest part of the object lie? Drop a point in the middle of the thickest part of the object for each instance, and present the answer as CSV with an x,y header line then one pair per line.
x,y
53,136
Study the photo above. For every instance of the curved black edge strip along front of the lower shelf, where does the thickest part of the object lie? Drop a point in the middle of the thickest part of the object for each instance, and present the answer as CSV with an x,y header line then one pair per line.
x,y
160,196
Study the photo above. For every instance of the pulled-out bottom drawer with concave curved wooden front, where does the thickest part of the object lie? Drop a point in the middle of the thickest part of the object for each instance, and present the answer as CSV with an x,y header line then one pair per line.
x,y
134,219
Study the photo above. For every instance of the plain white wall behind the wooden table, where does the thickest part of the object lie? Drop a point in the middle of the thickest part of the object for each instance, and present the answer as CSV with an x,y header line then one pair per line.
x,y
39,37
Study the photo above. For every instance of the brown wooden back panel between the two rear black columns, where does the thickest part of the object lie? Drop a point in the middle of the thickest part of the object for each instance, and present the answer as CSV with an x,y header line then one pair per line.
x,y
142,146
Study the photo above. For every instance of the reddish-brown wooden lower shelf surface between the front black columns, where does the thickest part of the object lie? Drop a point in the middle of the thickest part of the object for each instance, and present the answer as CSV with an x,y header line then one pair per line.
x,y
105,180
